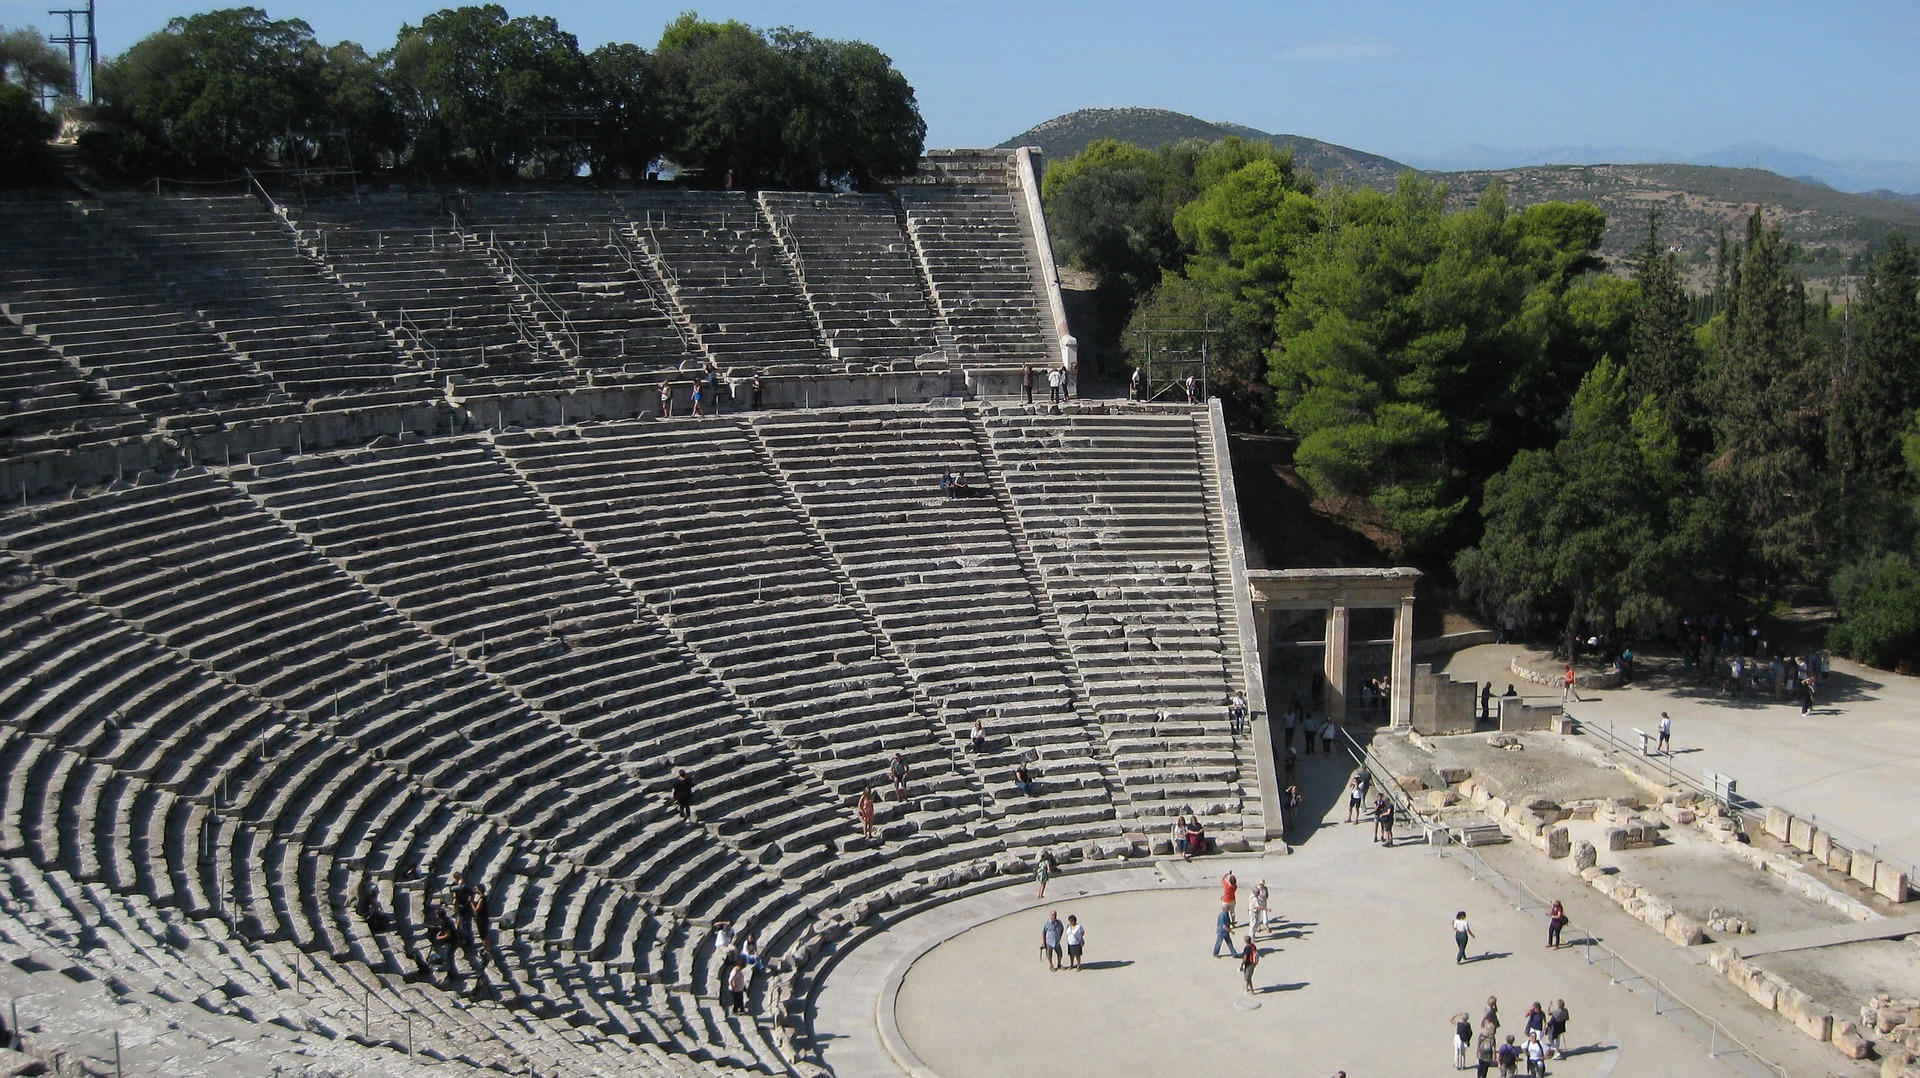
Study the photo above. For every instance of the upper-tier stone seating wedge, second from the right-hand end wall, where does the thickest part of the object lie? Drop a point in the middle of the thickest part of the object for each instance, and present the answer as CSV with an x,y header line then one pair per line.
x,y
859,272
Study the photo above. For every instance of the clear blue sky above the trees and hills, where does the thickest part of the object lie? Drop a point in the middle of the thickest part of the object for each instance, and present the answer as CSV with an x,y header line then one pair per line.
x,y
1403,80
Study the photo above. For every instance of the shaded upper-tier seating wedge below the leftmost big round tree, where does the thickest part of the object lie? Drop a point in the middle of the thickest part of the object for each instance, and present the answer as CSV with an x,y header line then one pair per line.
x,y
237,266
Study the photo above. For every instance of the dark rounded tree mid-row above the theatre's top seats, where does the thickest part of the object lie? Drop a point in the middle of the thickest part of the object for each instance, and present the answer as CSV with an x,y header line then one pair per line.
x,y
492,97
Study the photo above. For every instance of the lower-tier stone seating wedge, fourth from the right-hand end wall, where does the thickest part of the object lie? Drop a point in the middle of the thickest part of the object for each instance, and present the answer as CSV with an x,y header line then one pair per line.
x,y
448,535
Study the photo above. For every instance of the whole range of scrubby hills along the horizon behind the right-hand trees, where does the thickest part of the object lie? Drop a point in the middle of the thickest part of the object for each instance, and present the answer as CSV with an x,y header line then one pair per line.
x,y
1696,201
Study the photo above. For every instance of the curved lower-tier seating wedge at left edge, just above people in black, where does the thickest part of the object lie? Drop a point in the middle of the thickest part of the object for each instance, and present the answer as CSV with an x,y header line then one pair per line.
x,y
97,785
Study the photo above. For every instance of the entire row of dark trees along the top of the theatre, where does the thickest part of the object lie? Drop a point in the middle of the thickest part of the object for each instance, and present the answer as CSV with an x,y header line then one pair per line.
x,y
473,93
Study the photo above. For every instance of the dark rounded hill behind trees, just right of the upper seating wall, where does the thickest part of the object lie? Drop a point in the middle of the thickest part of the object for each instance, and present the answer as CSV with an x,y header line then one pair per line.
x,y
1070,134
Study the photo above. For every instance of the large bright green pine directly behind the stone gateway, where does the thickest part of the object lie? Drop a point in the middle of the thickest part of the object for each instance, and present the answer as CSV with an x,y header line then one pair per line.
x,y
1414,349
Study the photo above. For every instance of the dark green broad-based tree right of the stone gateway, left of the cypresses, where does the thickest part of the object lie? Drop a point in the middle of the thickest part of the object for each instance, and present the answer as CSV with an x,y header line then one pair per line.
x,y
1596,526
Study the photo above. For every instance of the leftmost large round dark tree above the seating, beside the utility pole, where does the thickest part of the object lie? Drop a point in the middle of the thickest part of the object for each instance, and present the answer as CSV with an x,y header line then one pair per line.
x,y
222,91
